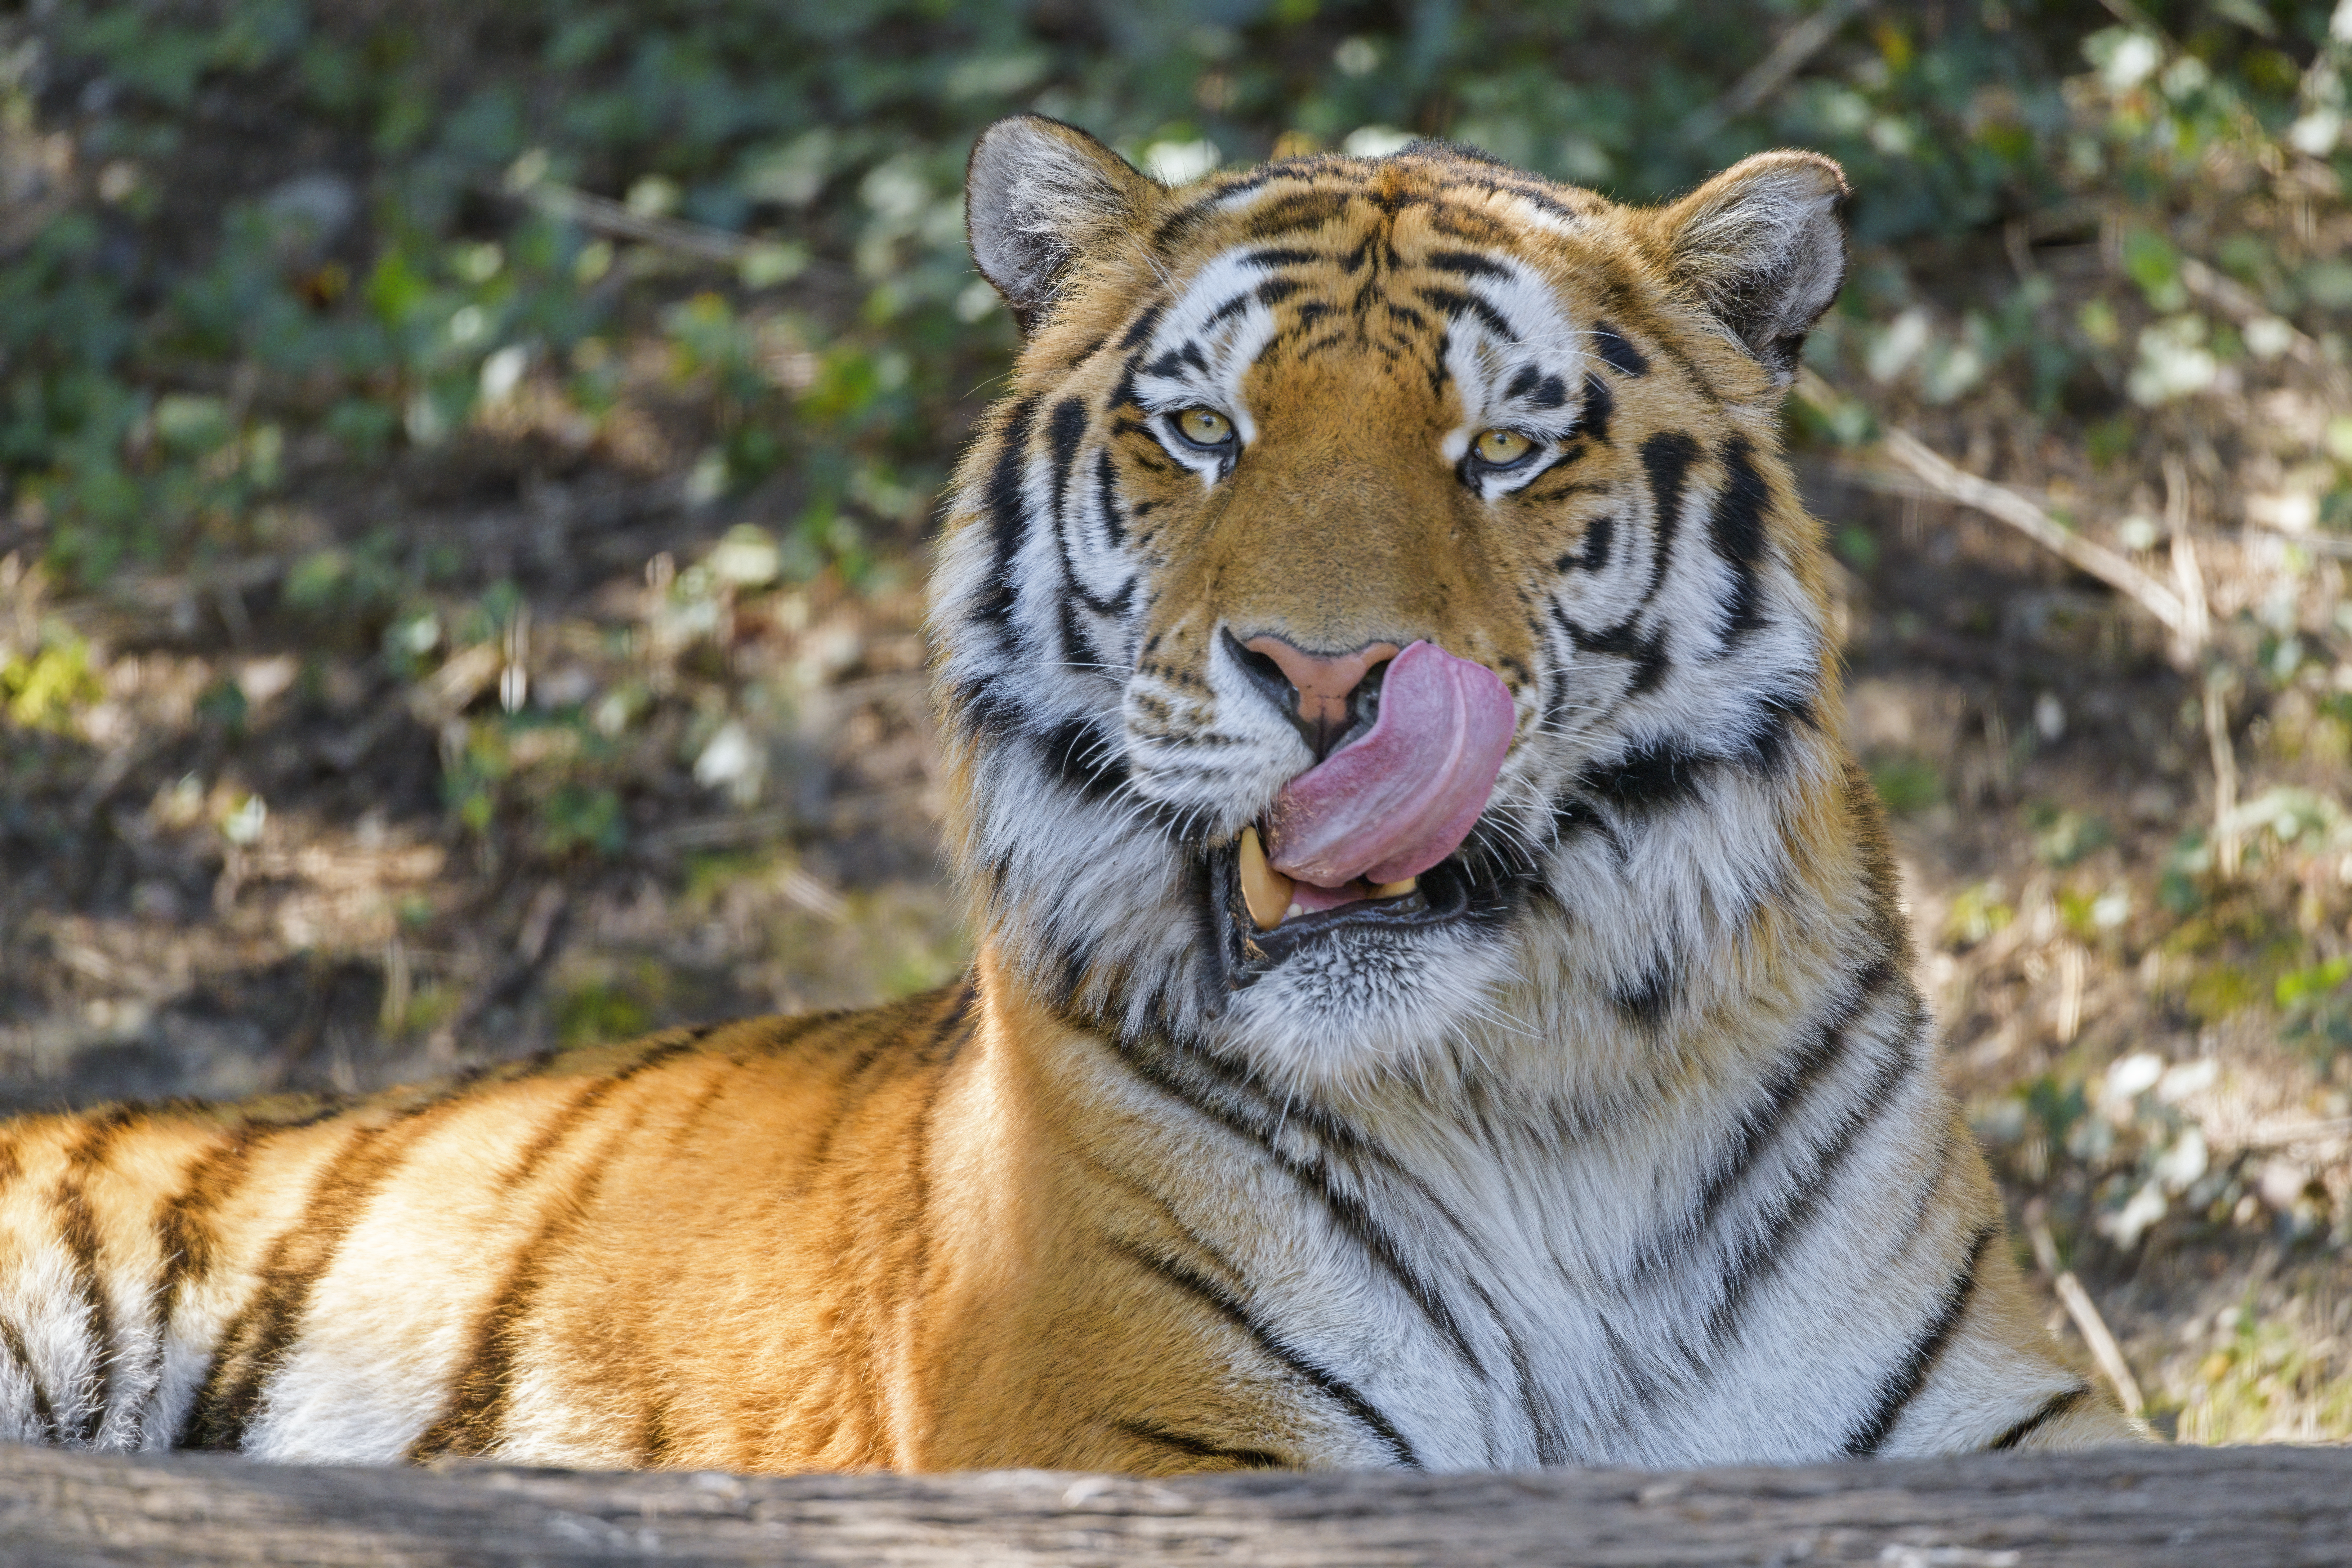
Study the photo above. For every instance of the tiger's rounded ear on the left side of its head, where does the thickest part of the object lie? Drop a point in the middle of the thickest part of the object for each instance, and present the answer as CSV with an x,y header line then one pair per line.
x,y
1038,194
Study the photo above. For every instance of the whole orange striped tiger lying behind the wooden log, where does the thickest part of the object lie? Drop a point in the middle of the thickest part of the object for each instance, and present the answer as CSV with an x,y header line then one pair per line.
x,y
1443,993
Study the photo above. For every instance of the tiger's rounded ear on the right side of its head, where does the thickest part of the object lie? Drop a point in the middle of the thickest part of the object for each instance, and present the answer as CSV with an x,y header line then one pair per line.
x,y
1765,250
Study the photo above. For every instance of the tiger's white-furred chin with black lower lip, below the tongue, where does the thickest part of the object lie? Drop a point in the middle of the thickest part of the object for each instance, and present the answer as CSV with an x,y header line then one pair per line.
x,y
1328,1003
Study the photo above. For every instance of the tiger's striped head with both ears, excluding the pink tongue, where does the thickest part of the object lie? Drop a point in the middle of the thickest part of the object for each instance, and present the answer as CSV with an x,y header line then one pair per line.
x,y
1267,436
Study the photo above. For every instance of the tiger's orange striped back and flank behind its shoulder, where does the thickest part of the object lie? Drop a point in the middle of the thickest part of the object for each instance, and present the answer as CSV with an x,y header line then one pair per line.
x,y
608,1257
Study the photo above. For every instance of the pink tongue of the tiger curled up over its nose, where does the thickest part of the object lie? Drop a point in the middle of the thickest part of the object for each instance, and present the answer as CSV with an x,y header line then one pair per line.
x,y
1403,798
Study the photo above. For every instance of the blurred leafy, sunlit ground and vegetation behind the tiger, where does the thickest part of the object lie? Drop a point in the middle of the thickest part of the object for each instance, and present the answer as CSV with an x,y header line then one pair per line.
x,y
467,474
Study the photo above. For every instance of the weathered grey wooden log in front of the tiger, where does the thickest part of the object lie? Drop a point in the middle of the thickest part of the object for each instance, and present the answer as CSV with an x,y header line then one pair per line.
x,y
2141,1508
